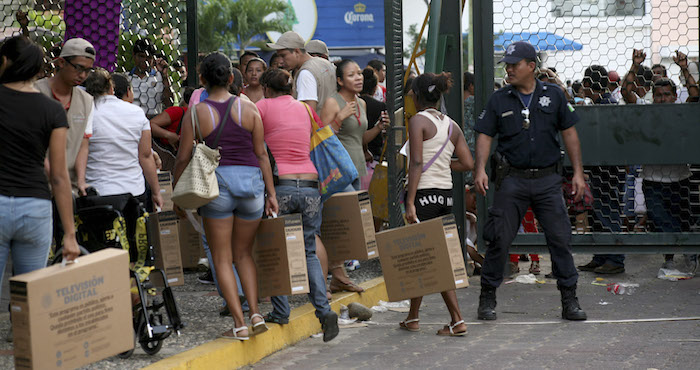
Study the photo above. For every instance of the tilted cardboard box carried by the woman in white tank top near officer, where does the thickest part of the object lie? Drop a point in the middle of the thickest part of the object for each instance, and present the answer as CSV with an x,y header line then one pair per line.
x,y
422,259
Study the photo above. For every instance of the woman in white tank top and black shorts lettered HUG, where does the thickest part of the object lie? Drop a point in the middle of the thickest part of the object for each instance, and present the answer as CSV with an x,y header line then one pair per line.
x,y
433,138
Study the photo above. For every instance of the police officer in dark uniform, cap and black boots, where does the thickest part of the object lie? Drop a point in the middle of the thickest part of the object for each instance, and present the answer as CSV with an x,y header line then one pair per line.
x,y
527,115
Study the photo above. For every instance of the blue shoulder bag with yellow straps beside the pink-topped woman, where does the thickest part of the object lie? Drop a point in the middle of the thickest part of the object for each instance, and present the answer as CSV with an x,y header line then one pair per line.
x,y
335,167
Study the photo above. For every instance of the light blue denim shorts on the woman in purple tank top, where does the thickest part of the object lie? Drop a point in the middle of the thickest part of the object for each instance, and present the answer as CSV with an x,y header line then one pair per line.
x,y
241,194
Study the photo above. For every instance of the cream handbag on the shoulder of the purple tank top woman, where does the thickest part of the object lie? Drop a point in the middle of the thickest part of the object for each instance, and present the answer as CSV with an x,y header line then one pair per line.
x,y
197,185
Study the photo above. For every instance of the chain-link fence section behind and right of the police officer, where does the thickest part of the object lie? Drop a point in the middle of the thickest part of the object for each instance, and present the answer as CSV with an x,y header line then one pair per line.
x,y
614,52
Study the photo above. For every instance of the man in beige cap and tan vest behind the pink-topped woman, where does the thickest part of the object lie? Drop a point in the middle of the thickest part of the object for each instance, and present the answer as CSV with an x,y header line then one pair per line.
x,y
314,77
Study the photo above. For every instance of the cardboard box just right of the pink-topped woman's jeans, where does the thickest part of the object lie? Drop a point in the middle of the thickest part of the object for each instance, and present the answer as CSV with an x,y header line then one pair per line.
x,y
347,230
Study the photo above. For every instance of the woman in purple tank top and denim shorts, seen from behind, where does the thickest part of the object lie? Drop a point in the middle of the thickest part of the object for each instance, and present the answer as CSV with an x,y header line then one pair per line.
x,y
244,176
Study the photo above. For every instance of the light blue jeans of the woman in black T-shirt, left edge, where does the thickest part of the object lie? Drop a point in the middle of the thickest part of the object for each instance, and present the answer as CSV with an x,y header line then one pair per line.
x,y
26,228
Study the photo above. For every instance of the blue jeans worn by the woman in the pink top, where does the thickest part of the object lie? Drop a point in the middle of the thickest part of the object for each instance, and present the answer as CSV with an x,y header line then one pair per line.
x,y
306,201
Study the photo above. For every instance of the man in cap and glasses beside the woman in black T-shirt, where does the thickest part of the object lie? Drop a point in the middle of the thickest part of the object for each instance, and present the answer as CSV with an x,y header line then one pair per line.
x,y
73,65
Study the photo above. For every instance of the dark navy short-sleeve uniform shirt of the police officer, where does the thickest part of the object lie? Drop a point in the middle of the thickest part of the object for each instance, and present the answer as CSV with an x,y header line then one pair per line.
x,y
536,146
